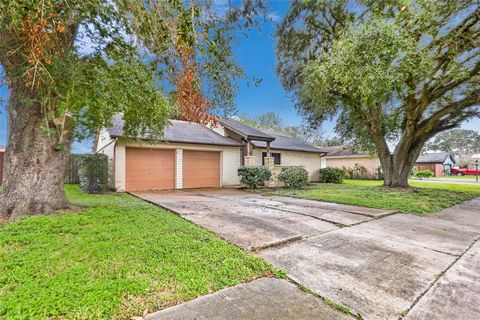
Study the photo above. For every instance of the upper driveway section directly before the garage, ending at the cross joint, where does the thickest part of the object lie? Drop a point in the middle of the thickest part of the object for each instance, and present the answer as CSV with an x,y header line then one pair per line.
x,y
254,222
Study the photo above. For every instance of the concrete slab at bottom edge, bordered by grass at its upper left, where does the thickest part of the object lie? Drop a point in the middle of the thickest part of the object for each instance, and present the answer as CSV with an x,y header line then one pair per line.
x,y
262,299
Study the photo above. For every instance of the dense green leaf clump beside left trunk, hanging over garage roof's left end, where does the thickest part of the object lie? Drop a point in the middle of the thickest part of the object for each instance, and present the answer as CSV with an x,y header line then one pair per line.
x,y
91,91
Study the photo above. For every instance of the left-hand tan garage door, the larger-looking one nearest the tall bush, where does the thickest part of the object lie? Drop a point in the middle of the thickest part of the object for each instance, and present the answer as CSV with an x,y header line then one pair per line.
x,y
149,169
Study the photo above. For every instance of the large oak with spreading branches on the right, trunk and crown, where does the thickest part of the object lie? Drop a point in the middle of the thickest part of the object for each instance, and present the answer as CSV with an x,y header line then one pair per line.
x,y
393,72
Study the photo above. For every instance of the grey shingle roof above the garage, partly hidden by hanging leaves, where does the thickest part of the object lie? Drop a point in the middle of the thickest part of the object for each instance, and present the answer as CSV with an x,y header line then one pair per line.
x,y
182,132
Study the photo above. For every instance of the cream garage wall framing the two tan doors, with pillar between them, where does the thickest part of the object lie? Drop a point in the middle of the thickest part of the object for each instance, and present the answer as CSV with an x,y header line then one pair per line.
x,y
229,161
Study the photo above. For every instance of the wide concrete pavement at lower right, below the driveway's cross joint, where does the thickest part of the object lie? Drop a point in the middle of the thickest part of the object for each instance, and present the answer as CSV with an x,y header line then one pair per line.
x,y
382,268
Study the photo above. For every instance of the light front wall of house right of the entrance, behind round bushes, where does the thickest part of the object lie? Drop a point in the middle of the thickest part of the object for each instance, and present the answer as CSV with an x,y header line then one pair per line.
x,y
310,161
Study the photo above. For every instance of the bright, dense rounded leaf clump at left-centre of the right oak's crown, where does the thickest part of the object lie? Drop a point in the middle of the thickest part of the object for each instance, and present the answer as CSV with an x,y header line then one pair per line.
x,y
361,71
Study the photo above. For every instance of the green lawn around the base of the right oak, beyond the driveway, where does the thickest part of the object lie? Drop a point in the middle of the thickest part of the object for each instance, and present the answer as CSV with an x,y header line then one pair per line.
x,y
422,199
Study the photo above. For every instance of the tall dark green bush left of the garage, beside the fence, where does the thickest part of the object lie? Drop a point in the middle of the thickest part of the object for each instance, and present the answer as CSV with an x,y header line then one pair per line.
x,y
93,172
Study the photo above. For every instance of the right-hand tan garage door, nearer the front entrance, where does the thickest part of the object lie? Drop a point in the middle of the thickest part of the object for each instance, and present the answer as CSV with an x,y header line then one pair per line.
x,y
201,169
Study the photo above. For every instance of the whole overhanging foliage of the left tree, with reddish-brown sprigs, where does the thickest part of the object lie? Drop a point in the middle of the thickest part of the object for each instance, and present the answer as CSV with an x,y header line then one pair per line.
x,y
130,52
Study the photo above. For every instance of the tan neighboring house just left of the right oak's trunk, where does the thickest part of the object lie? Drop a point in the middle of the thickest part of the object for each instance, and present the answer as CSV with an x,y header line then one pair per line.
x,y
347,157
